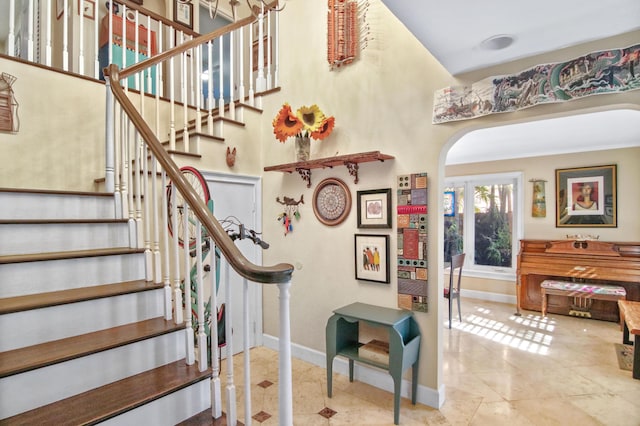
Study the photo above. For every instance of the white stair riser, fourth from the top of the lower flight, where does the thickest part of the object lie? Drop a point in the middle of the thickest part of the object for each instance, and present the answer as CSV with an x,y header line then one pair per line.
x,y
27,328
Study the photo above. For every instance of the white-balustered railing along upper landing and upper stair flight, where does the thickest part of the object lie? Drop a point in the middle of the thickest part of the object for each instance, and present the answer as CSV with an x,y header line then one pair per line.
x,y
82,37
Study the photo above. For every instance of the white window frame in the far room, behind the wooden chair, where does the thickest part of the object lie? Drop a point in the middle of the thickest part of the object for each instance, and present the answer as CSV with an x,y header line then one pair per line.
x,y
469,183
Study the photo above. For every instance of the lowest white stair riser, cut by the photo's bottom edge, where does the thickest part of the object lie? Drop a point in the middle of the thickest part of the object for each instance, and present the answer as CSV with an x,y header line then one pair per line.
x,y
169,410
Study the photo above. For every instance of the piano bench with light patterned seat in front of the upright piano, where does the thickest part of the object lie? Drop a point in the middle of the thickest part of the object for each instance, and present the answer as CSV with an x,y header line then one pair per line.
x,y
582,293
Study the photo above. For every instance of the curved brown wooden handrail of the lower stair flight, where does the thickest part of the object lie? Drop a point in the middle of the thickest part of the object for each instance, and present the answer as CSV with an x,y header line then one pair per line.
x,y
280,273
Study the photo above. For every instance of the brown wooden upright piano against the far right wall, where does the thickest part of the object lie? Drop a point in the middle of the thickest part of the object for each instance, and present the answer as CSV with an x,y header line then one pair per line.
x,y
579,261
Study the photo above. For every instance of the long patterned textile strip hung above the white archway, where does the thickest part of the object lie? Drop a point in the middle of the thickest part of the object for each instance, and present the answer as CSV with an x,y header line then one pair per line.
x,y
609,71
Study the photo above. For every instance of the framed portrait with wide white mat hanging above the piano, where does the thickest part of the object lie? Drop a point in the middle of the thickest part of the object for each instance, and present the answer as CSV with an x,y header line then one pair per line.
x,y
586,197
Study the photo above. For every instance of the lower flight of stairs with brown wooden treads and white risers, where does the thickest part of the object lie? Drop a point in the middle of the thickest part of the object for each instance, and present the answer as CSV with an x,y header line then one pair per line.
x,y
84,336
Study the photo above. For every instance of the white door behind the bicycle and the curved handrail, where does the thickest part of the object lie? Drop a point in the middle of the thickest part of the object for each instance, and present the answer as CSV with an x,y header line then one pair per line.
x,y
238,199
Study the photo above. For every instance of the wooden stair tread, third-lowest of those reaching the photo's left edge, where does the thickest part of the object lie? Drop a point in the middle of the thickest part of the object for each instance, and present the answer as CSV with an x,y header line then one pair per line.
x,y
54,298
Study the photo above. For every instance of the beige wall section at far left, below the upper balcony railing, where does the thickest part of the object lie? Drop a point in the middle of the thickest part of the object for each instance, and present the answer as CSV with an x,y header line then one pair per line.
x,y
60,143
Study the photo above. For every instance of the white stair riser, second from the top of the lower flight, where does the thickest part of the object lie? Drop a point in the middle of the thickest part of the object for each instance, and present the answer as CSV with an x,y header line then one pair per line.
x,y
42,238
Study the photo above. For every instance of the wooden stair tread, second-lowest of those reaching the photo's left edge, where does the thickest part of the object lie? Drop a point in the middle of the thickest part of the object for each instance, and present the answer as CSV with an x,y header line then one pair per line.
x,y
49,353
